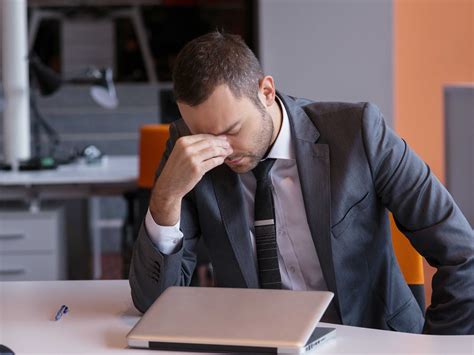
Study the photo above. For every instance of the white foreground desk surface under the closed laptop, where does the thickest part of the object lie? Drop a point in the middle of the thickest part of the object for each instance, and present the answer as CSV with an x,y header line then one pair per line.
x,y
101,314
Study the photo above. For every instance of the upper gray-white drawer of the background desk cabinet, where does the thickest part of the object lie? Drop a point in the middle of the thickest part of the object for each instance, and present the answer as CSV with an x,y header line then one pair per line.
x,y
25,231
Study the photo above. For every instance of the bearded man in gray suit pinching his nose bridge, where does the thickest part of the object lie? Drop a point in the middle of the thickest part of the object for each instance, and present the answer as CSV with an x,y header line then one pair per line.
x,y
290,193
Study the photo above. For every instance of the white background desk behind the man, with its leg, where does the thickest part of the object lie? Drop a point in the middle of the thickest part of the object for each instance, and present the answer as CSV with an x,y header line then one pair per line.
x,y
113,176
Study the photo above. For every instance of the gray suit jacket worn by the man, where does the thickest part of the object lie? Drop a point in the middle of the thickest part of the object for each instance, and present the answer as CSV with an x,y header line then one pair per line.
x,y
352,169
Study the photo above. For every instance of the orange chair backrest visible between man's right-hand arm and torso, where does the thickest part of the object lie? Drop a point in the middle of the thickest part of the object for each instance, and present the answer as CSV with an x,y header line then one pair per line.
x,y
411,263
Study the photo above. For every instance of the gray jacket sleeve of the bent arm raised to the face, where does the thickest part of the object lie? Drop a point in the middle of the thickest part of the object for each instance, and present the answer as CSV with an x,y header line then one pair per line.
x,y
151,271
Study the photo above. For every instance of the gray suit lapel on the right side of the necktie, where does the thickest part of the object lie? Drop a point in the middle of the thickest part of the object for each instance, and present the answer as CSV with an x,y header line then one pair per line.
x,y
312,160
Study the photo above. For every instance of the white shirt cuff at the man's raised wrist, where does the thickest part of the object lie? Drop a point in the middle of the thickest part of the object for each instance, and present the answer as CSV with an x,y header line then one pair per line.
x,y
166,238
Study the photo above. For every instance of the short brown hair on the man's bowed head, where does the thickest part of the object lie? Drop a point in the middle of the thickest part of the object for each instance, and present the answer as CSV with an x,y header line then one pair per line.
x,y
211,60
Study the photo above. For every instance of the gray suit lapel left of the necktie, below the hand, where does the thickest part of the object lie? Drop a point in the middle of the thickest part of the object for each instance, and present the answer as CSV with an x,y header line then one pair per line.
x,y
228,190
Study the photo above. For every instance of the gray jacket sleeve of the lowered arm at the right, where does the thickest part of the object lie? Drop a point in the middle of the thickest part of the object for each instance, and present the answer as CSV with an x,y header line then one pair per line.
x,y
428,216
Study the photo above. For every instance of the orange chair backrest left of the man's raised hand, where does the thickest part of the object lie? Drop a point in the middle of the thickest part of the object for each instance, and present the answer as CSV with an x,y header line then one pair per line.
x,y
153,140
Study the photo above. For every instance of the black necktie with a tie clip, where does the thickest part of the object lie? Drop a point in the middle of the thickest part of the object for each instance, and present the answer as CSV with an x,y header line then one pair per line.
x,y
265,228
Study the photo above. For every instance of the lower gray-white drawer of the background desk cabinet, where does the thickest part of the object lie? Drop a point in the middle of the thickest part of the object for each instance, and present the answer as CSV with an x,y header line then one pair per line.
x,y
32,267
